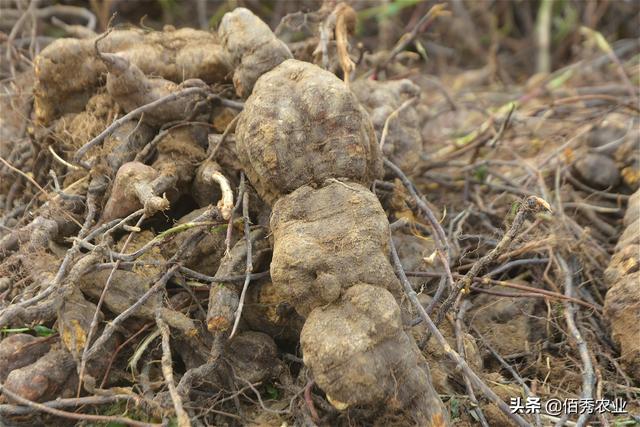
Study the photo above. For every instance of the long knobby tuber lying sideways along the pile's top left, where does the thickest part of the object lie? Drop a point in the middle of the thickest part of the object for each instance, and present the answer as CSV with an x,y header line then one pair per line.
x,y
175,55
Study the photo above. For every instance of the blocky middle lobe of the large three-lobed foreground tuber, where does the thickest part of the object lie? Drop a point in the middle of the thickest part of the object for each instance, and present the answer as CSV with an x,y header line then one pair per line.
x,y
320,235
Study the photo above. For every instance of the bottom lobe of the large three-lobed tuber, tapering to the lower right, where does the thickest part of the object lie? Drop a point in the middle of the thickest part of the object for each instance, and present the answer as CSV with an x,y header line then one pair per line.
x,y
359,354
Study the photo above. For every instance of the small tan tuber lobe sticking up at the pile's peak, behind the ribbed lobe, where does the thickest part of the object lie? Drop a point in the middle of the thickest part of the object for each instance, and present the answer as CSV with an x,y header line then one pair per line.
x,y
251,46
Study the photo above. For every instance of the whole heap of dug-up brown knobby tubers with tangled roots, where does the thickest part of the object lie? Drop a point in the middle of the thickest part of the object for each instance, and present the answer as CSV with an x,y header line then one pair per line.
x,y
310,151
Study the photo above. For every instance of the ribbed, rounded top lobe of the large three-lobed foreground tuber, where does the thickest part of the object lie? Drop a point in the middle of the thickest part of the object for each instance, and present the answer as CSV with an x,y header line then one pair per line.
x,y
302,126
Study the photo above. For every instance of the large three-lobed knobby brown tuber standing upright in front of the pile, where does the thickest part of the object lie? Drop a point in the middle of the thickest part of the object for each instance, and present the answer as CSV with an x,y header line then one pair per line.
x,y
309,148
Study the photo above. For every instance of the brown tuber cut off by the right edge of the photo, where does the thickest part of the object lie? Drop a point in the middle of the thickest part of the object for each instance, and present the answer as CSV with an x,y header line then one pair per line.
x,y
622,302
